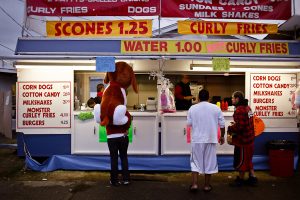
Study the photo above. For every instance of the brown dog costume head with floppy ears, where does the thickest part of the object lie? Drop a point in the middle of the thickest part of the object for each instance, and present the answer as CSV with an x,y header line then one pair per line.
x,y
123,75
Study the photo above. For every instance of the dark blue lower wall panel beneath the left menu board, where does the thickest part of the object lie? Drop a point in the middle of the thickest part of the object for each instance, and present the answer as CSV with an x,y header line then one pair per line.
x,y
44,145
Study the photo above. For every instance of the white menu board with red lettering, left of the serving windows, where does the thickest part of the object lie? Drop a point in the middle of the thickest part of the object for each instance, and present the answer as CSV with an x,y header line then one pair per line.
x,y
44,105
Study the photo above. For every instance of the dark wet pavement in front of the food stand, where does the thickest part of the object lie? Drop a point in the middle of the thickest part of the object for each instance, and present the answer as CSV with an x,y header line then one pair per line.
x,y
17,182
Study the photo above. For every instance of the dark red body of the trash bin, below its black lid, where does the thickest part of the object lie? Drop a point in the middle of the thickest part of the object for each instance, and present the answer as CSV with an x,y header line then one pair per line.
x,y
281,162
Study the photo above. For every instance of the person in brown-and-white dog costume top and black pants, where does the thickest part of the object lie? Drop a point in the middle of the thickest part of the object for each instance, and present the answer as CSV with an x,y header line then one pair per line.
x,y
116,118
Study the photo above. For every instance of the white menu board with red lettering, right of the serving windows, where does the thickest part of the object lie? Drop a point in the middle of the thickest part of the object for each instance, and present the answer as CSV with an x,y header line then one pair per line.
x,y
271,95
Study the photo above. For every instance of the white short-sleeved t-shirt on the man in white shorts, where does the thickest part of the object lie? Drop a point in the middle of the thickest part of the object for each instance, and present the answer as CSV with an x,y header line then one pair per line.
x,y
204,119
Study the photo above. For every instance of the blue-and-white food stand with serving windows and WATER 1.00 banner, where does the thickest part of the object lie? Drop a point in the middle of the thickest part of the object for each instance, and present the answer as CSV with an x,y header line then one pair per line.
x,y
49,126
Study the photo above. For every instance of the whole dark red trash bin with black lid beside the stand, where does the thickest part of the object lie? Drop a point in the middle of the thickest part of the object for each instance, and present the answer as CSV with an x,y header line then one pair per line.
x,y
281,157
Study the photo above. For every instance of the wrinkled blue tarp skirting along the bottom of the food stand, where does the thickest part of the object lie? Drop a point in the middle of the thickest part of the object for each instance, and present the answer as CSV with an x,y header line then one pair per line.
x,y
149,163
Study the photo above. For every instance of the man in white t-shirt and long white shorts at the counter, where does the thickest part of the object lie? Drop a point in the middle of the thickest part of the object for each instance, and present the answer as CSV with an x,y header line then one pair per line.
x,y
204,119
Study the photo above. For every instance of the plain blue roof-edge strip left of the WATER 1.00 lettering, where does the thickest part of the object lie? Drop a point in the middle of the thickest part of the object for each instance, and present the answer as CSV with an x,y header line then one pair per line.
x,y
31,46
